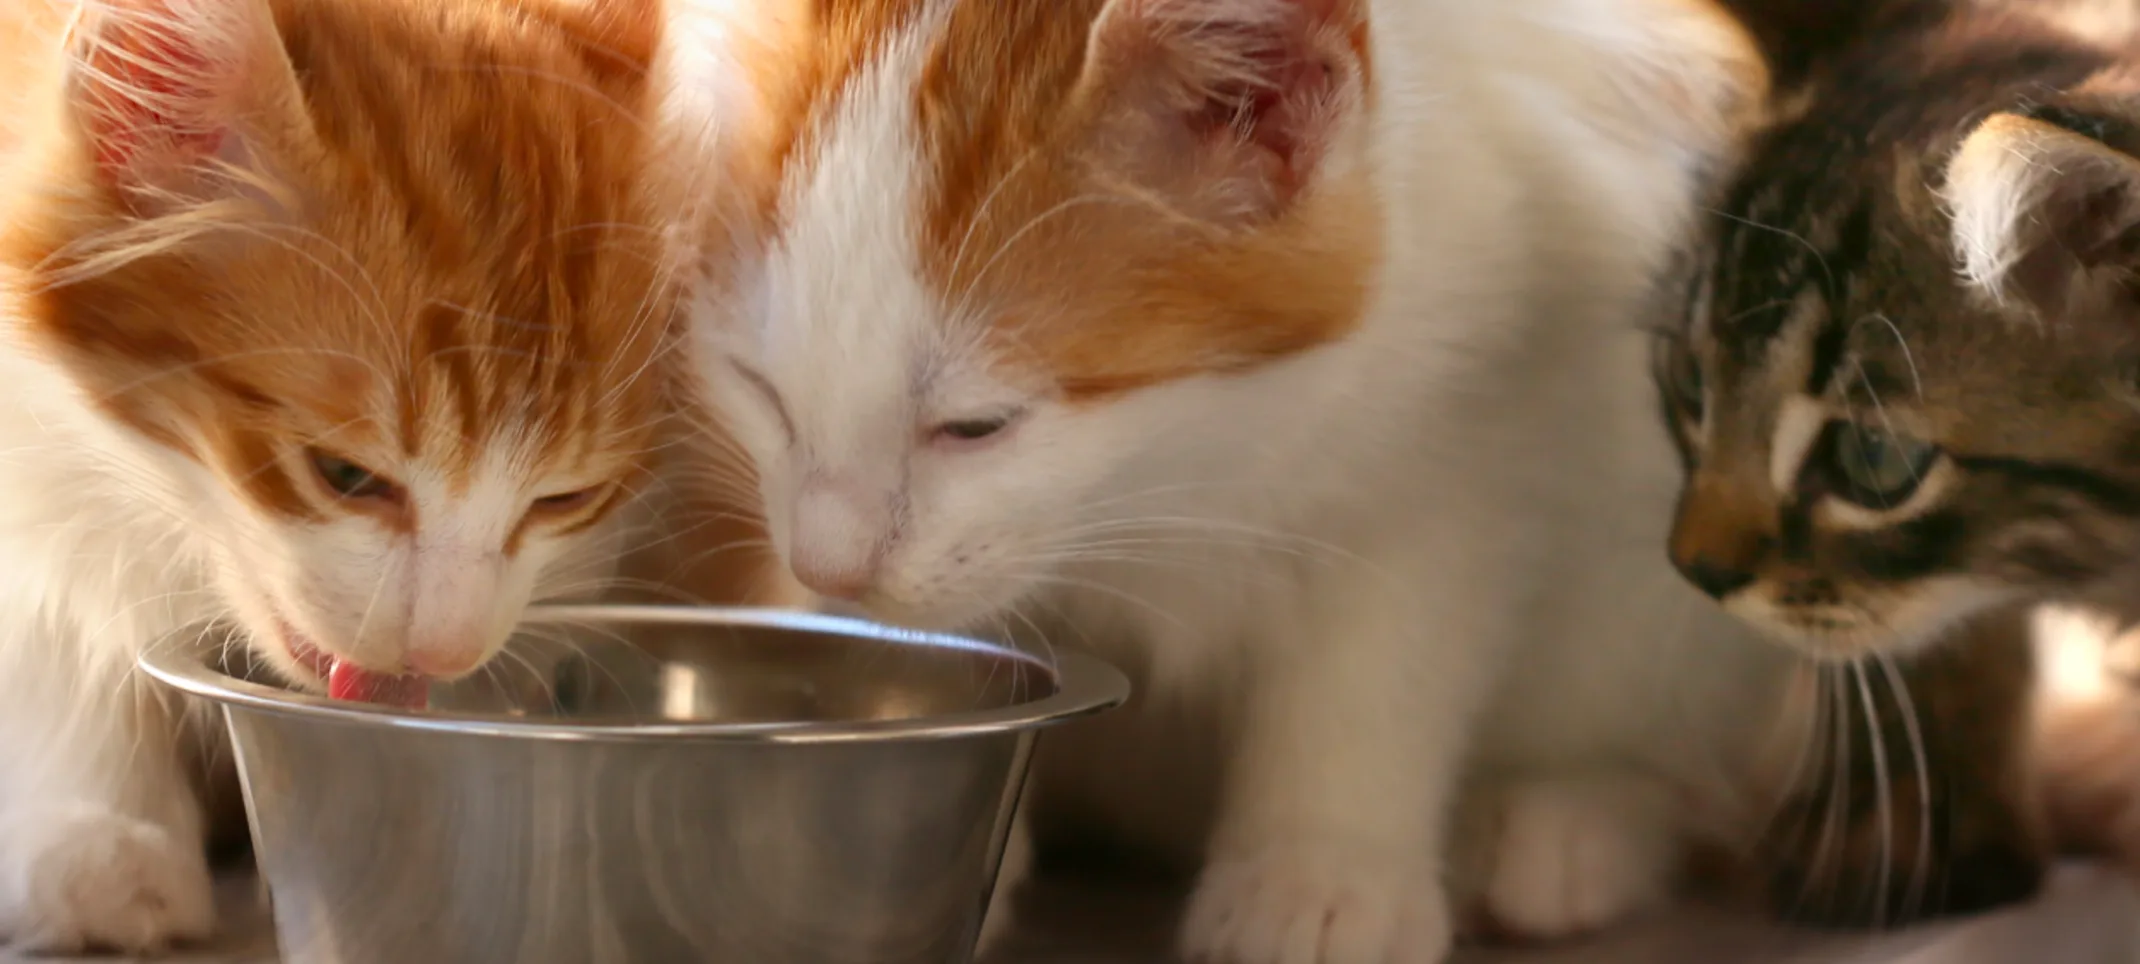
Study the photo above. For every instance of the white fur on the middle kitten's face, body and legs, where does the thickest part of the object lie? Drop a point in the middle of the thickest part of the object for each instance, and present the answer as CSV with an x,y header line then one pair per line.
x,y
1435,543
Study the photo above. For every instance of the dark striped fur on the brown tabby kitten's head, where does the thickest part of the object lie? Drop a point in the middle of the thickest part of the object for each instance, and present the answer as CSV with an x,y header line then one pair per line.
x,y
1878,265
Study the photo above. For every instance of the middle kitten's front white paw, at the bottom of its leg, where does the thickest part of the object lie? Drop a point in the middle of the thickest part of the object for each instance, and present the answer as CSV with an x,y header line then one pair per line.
x,y
1306,905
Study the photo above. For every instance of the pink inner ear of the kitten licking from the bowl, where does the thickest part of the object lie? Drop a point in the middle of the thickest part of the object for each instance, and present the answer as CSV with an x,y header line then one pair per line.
x,y
149,100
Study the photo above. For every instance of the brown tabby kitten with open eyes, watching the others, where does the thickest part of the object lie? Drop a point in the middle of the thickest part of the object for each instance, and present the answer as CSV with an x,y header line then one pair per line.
x,y
1906,391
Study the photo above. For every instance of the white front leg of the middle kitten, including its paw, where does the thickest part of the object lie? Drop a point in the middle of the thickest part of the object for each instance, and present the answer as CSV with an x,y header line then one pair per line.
x,y
1330,845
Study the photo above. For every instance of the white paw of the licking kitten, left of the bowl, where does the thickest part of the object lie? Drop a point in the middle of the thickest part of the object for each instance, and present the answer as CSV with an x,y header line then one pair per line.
x,y
93,879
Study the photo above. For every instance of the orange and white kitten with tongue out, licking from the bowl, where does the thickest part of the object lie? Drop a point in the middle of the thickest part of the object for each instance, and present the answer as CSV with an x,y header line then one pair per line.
x,y
331,322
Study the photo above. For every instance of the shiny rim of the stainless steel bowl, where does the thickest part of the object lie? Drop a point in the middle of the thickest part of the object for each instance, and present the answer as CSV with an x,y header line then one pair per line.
x,y
1084,687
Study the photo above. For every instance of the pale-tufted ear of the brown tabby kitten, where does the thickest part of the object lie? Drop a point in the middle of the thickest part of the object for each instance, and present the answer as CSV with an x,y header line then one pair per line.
x,y
2047,209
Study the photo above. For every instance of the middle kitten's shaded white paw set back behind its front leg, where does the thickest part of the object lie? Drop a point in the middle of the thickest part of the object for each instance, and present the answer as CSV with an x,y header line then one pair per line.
x,y
1578,856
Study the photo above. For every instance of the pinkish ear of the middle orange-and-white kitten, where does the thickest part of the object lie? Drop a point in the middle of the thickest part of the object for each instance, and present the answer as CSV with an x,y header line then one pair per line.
x,y
1225,110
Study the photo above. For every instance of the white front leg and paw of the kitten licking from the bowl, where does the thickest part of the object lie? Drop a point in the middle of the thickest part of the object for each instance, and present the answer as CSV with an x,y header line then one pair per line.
x,y
102,832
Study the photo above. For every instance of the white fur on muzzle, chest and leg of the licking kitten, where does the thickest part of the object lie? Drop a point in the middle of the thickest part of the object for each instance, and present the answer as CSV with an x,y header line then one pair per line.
x,y
114,545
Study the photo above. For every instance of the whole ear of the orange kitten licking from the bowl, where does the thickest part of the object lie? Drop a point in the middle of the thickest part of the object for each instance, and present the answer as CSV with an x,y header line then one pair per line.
x,y
159,89
